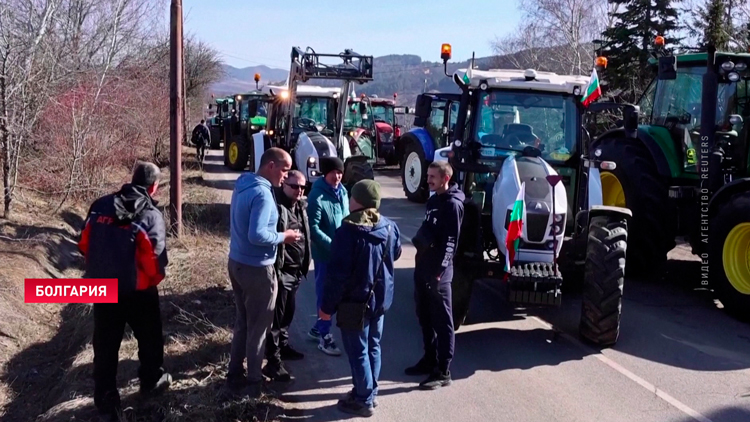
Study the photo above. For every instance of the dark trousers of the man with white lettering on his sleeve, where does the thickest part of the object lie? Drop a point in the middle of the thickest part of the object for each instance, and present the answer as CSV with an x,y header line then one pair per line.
x,y
433,303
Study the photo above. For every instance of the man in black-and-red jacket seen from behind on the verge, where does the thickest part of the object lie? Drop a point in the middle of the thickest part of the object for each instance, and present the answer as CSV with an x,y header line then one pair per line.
x,y
124,238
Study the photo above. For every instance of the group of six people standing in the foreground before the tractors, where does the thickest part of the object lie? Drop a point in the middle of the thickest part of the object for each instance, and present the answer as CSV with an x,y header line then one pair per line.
x,y
275,234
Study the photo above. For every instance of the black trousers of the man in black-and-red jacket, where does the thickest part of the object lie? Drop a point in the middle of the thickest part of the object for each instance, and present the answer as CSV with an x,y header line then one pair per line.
x,y
140,310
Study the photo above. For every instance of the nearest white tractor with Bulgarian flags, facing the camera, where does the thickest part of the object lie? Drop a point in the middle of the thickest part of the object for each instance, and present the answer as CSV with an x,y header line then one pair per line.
x,y
520,155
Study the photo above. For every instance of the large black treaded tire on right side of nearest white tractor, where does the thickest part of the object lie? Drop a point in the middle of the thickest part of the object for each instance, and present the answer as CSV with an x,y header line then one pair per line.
x,y
603,279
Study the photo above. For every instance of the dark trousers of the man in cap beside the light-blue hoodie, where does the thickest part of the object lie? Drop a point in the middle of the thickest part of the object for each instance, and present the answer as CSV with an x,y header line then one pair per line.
x,y
286,302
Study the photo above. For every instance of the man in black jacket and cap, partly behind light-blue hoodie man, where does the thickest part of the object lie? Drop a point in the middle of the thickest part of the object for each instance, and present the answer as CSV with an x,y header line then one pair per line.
x,y
292,263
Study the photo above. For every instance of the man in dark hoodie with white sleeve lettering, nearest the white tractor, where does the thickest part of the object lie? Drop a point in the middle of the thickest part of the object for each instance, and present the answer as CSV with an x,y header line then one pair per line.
x,y
436,242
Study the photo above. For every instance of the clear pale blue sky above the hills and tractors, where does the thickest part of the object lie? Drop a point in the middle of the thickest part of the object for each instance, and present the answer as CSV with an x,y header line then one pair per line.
x,y
249,32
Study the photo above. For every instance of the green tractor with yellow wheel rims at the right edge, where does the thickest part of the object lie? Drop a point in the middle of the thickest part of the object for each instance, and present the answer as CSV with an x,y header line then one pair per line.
x,y
687,174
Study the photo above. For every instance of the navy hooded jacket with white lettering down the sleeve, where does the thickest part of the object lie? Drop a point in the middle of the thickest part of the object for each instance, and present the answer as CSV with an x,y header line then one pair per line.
x,y
437,238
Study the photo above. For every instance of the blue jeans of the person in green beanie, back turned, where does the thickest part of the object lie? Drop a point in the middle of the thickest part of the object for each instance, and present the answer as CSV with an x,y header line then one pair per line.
x,y
363,350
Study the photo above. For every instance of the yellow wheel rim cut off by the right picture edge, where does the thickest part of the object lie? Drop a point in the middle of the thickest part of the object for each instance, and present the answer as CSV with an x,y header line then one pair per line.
x,y
736,258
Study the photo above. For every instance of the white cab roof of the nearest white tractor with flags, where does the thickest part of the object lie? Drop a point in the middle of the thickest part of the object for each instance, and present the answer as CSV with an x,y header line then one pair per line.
x,y
528,79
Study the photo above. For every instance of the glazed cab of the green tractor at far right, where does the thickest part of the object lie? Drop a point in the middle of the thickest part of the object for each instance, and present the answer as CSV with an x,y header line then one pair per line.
x,y
673,104
